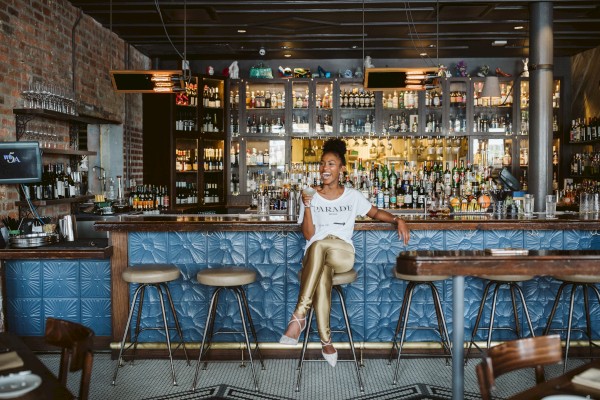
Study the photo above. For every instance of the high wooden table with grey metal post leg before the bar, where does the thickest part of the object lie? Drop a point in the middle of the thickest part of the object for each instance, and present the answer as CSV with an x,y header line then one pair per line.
x,y
461,263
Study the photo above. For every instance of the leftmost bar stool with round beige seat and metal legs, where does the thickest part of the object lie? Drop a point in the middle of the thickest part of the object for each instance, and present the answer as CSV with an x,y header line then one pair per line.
x,y
157,276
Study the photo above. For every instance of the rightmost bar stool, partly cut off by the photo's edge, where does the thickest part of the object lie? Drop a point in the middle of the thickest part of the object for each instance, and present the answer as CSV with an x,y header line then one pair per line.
x,y
574,282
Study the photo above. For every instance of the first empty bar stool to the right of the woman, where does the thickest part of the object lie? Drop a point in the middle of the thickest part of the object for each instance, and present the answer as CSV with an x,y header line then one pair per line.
x,y
414,282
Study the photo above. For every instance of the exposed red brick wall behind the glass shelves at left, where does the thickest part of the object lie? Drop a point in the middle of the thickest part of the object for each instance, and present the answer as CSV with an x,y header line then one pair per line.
x,y
36,43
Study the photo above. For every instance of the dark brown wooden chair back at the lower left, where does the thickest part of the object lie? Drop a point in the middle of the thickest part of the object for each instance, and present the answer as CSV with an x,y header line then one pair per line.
x,y
76,343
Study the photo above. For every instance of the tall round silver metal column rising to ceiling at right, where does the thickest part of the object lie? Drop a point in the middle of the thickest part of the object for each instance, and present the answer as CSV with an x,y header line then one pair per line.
x,y
541,42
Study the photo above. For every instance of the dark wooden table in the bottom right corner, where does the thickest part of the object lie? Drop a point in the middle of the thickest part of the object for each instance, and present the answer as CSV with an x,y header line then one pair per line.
x,y
561,385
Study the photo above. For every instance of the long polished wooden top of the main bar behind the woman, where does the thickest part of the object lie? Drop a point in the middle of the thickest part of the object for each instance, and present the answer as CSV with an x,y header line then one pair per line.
x,y
279,223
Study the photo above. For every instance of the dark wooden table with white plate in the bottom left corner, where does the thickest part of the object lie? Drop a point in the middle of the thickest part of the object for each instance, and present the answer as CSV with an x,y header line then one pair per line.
x,y
50,389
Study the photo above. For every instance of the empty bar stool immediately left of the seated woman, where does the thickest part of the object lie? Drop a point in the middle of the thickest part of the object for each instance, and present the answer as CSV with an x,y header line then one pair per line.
x,y
231,278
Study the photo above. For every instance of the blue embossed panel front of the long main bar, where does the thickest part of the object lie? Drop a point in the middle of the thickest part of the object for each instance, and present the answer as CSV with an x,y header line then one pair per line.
x,y
373,300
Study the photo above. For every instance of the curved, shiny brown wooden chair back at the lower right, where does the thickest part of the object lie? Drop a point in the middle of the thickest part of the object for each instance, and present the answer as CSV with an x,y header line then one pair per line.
x,y
516,354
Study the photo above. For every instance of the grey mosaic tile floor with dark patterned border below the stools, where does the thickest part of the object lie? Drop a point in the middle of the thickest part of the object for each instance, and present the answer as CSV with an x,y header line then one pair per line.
x,y
423,378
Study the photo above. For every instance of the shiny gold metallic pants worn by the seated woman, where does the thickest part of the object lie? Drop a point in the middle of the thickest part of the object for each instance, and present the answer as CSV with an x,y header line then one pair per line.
x,y
322,259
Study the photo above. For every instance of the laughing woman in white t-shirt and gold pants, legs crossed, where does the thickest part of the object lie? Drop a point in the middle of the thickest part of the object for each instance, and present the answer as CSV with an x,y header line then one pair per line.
x,y
327,219
